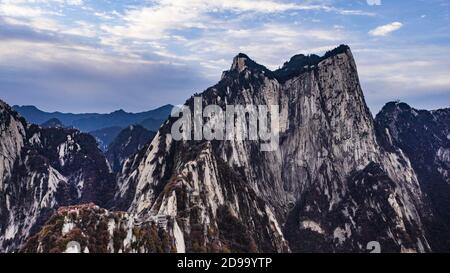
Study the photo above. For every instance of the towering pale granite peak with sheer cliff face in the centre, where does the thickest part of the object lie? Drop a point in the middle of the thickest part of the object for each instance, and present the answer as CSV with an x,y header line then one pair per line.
x,y
329,186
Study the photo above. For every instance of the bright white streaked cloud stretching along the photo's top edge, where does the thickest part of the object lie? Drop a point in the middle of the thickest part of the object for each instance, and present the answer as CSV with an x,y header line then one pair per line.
x,y
156,21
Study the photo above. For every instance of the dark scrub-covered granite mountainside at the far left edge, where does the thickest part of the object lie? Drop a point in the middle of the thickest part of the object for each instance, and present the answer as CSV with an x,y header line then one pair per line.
x,y
42,169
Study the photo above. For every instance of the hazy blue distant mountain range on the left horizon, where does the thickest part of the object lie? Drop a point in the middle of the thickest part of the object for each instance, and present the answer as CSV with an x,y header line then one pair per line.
x,y
104,127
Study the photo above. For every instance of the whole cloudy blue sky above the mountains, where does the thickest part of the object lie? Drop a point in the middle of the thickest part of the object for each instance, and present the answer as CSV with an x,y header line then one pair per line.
x,y
101,55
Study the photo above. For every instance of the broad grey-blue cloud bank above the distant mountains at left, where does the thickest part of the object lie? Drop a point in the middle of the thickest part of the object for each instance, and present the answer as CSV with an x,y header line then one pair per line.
x,y
72,78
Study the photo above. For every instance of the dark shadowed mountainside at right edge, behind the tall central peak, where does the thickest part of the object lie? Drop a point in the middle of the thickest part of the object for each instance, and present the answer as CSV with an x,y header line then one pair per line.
x,y
424,136
